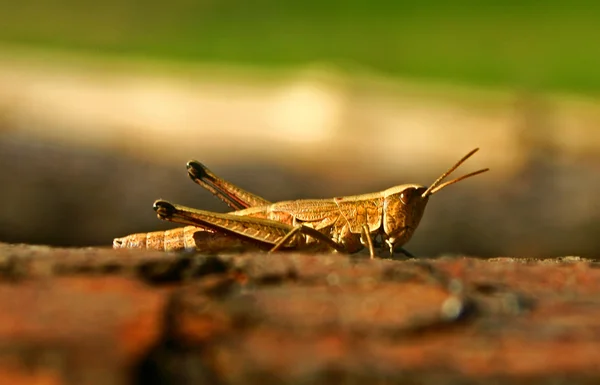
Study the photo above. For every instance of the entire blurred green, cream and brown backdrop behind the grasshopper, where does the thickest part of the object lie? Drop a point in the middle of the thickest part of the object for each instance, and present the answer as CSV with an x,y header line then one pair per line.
x,y
101,104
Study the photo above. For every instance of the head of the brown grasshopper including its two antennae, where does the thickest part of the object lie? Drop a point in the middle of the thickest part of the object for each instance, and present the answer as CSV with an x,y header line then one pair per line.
x,y
404,205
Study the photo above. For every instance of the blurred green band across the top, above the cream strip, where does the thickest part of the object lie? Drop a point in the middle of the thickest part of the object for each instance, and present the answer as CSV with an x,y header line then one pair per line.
x,y
545,45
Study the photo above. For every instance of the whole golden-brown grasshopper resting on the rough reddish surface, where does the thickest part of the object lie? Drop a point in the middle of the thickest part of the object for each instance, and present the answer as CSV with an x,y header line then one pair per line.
x,y
343,224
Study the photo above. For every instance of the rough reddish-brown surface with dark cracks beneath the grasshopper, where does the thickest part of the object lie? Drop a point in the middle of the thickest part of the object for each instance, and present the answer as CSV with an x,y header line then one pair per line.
x,y
97,316
